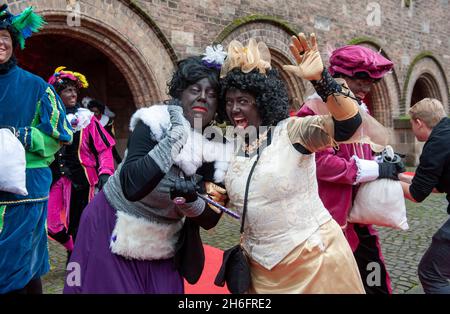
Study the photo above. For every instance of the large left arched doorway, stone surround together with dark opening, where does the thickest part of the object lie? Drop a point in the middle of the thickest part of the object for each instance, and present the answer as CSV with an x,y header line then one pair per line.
x,y
119,48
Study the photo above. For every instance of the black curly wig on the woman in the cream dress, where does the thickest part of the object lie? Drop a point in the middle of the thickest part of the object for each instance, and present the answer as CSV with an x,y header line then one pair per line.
x,y
269,91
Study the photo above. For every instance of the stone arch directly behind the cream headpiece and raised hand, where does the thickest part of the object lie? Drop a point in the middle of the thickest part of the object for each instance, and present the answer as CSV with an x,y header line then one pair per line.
x,y
277,37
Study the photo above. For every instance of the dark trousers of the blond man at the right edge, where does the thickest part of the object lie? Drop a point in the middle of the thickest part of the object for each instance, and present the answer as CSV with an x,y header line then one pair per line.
x,y
434,267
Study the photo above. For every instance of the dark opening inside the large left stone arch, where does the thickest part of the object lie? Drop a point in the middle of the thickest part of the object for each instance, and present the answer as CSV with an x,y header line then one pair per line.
x,y
45,53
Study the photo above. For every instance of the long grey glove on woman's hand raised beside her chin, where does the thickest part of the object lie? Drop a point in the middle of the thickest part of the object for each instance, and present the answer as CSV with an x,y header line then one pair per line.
x,y
170,146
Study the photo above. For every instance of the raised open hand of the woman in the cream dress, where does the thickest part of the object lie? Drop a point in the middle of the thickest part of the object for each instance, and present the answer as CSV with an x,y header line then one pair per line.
x,y
309,63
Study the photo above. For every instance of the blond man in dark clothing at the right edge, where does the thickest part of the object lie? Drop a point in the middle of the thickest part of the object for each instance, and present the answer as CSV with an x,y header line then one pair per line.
x,y
431,125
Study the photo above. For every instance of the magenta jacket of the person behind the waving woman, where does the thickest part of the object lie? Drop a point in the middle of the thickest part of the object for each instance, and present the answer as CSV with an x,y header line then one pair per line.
x,y
336,175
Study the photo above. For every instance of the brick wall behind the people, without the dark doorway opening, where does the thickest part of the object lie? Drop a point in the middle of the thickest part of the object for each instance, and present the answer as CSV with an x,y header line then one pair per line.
x,y
161,31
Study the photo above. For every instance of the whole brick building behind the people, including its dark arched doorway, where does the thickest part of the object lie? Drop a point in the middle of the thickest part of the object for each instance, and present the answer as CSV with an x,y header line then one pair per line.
x,y
128,49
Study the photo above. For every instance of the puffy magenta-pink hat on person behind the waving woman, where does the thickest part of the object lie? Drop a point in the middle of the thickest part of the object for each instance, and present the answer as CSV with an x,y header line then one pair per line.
x,y
351,59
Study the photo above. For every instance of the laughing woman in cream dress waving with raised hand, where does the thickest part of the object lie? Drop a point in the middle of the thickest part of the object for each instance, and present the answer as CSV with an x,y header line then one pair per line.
x,y
293,244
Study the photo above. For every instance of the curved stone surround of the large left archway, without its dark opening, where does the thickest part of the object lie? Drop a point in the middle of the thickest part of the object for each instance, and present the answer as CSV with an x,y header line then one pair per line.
x,y
133,44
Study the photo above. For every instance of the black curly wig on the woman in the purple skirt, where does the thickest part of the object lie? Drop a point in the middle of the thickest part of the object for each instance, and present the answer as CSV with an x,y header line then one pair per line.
x,y
190,71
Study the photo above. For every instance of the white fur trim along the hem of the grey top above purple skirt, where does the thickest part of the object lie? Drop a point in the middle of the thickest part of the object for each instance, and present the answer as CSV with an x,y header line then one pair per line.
x,y
138,238
